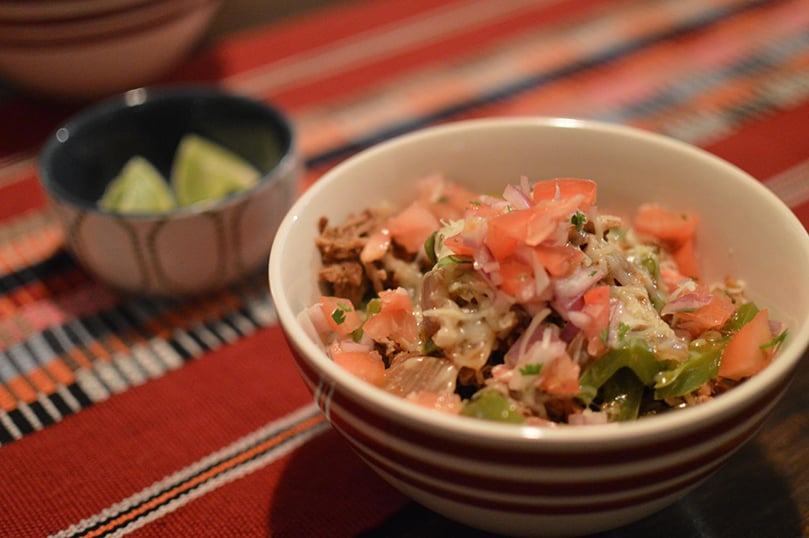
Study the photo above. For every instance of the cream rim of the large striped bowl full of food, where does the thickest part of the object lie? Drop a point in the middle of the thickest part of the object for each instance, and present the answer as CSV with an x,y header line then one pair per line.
x,y
520,435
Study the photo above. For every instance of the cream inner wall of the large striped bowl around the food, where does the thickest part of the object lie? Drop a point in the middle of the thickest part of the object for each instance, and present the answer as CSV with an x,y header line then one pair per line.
x,y
745,231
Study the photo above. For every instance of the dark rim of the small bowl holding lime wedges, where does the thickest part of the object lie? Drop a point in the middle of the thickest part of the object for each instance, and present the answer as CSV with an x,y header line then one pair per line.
x,y
137,97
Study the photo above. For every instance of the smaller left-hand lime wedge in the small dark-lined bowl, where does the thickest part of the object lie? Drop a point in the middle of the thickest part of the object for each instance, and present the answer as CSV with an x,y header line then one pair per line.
x,y
138,188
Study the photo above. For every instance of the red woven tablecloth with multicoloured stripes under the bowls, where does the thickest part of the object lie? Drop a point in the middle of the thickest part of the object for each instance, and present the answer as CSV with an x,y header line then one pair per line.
x,y
190,418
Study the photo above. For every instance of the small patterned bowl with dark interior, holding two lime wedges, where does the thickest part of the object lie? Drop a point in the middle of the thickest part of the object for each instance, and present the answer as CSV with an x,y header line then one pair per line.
x,y
189,250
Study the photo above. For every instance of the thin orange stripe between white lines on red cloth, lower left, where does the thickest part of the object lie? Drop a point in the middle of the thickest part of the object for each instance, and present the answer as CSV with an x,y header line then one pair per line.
x,y
231,463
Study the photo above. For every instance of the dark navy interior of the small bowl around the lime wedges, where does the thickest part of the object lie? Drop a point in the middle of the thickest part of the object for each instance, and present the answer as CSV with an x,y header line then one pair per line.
x,y
82,156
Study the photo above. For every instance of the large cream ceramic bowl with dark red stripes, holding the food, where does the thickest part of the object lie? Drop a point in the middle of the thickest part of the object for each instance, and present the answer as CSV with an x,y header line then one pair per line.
x,y
569,480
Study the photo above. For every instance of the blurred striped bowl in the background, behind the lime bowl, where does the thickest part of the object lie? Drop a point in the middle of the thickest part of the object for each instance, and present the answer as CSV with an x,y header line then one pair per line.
x,y
85,49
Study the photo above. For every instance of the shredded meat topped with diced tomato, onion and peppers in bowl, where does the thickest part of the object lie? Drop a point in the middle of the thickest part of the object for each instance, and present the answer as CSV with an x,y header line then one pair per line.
x,y
533,306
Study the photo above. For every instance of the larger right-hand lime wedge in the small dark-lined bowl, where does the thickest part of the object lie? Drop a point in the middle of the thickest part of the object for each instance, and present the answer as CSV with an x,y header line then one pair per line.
x,y
204,170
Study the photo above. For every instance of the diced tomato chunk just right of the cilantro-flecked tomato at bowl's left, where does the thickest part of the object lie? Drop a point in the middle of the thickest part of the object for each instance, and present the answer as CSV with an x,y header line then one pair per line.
x,y
395,320
